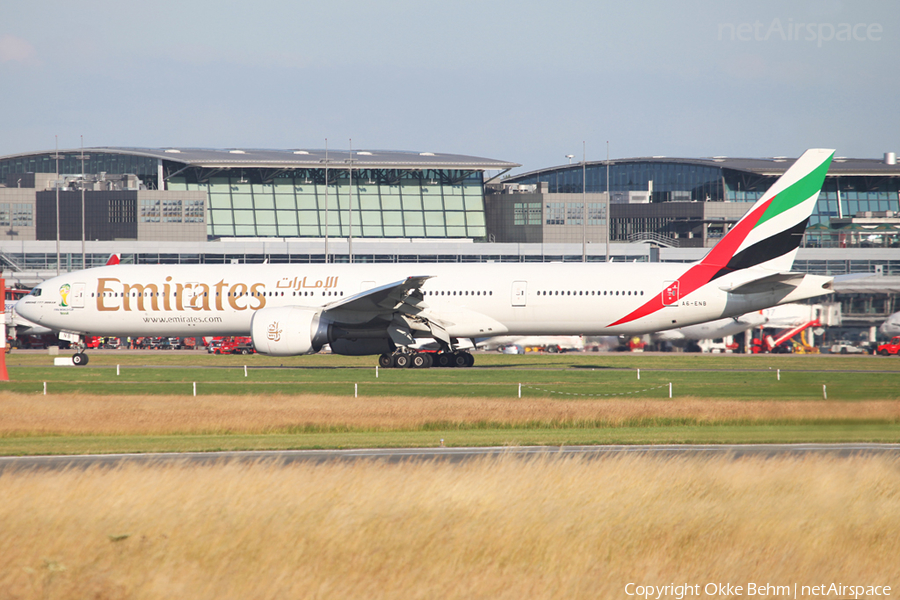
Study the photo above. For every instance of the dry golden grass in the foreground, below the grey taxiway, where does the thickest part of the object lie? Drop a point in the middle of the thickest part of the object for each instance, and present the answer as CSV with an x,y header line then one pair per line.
x,y
501,528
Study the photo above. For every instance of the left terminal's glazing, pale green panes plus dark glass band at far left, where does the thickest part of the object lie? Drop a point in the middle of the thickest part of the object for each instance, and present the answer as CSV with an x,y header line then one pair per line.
x,y
379,203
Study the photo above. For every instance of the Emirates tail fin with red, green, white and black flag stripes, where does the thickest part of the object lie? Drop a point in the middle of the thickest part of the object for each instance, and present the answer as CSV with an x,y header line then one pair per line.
x,y
769,234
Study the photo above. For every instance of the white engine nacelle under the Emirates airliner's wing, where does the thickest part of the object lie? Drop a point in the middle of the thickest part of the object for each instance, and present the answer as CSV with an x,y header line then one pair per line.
x,y
288,331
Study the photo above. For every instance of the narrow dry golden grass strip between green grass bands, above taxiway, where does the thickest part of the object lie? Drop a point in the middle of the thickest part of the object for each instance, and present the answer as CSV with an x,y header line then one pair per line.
x,y
149,414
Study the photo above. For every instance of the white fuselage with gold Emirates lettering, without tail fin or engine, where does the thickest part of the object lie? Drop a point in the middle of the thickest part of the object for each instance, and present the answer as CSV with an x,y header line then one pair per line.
x,y
471,300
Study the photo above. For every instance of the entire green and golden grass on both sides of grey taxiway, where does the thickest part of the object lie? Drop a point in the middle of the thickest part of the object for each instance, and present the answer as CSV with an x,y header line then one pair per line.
x,y
493,528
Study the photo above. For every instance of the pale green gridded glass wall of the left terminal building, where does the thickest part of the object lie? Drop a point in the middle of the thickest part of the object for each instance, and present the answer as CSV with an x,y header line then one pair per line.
x,y
399,204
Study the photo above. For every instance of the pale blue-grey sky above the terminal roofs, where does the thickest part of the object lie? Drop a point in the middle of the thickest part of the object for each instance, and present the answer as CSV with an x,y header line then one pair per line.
x,y
521,81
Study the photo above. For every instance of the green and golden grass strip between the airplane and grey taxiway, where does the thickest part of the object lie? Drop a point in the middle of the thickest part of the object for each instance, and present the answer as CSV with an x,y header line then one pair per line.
x,y
145,402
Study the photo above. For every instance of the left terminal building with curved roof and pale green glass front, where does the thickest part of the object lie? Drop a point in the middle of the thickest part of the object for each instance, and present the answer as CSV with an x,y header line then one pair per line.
x,y
250,193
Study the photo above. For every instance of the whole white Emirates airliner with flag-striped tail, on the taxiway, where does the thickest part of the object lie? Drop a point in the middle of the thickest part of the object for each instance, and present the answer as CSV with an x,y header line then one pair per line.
x,y
380,309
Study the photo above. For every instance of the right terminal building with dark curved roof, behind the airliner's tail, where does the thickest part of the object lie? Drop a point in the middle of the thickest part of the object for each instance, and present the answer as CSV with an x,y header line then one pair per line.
x,y
691,203
